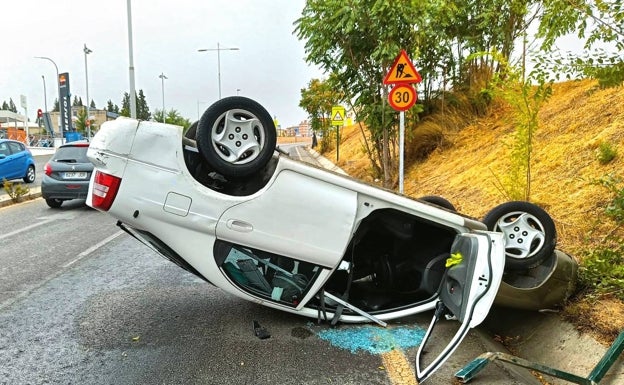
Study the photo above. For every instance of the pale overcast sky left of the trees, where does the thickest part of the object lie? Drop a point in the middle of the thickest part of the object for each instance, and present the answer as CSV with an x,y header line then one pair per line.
x,y
268,67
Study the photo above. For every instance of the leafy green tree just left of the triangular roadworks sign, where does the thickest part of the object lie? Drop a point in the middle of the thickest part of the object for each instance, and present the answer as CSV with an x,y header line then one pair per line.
x,y
356,41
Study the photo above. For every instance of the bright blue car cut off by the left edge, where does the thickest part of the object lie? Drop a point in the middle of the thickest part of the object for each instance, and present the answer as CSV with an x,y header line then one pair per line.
x,y
16,161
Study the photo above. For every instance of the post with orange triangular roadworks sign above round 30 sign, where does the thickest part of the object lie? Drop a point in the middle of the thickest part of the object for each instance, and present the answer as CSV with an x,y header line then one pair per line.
x,y
402,97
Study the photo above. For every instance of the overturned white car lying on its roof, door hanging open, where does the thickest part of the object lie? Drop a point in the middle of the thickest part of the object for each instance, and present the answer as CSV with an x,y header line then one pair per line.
x,y
221,203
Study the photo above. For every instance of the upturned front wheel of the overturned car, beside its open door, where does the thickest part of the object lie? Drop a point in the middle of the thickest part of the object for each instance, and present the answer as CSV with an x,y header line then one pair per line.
x,y
530,234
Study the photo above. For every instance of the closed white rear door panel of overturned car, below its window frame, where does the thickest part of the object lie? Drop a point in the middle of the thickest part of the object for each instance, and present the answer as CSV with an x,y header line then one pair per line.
x,y
298,216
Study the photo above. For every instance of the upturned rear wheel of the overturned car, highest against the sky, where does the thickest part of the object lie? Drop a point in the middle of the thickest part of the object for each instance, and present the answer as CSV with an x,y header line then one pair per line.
x,y
236,136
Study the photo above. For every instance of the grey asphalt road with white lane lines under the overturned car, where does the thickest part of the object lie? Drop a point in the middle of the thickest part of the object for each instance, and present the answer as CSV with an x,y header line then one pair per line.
x,y
83,303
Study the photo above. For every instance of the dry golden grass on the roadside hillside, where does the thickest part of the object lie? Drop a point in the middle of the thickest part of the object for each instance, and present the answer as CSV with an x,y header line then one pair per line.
x,y
573,123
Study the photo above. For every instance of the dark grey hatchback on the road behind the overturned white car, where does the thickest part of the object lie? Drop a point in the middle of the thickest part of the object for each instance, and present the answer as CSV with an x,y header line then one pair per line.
x,y
67,174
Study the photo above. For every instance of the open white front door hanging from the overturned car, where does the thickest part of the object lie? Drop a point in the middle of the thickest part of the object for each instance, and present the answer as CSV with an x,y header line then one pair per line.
x,y
474,273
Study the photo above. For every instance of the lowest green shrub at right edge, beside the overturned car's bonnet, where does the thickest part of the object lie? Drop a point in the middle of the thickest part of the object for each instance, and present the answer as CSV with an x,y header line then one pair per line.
x,y
602,271
